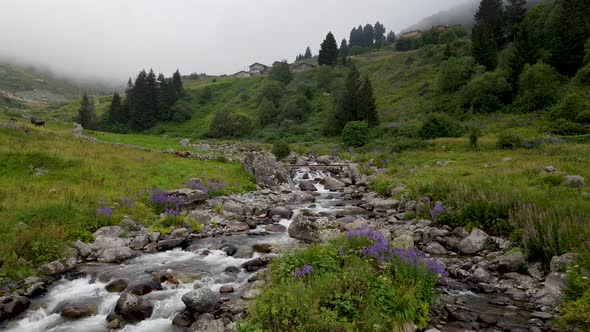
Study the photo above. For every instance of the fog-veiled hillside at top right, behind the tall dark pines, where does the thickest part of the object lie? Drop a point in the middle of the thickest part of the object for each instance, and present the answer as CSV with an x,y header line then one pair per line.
x,y
462,14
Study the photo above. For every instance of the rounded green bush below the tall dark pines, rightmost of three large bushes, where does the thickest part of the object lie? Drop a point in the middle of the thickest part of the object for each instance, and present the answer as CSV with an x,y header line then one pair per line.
x,y
539,86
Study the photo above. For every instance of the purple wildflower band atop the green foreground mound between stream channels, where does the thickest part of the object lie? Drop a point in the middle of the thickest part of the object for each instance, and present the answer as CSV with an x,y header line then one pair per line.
x,y
383,253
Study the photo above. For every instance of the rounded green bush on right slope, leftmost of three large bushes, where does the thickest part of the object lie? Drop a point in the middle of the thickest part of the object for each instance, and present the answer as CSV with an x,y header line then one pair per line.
x,y
455,73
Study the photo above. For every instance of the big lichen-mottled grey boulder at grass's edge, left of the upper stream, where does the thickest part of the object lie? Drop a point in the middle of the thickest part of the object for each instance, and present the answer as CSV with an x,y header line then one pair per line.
x,y
266,170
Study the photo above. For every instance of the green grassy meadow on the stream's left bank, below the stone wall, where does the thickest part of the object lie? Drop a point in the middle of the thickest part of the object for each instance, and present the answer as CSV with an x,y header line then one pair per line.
x,y
39,215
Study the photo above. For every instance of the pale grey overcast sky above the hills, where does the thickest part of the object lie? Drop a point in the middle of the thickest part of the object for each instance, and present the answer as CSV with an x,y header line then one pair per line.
x,y
113,39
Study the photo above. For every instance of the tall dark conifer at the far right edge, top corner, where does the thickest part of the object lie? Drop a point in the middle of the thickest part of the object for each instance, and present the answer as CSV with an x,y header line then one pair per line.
x,y
571,32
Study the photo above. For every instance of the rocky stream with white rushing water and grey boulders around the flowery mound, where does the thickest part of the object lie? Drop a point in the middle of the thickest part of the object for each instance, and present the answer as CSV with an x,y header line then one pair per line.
x,y
136,280
